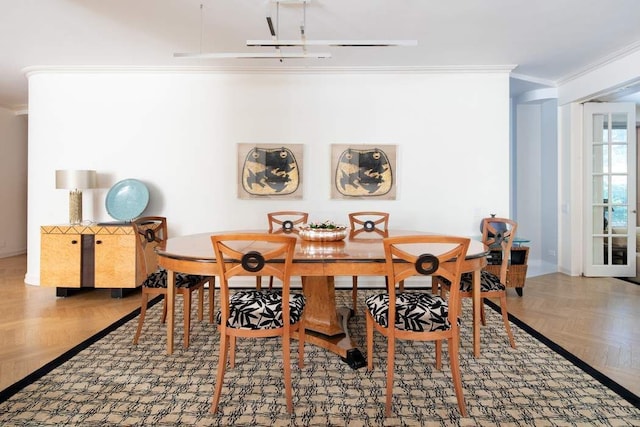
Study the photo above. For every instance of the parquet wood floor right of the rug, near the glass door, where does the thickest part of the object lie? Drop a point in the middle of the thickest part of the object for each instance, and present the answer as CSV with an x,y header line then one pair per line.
x,y
595,319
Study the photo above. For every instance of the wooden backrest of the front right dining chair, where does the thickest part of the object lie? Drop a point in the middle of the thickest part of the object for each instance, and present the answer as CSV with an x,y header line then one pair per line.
x,y
426,255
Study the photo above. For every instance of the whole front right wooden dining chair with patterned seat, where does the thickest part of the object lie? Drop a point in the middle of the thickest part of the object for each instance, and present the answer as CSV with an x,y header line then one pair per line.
x,y
419,316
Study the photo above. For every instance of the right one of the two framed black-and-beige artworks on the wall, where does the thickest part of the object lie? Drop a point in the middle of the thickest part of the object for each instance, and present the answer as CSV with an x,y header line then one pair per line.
x,y
363,171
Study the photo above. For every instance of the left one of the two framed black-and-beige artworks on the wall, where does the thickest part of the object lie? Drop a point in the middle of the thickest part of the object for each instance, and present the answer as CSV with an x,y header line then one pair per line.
x,y
269,171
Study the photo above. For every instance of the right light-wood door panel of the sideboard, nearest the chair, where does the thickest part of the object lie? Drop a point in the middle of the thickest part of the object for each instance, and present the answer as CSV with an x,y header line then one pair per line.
x,y
115,261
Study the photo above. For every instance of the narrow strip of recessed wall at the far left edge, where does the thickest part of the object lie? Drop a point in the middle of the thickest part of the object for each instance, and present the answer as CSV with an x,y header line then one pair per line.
x,y
13,183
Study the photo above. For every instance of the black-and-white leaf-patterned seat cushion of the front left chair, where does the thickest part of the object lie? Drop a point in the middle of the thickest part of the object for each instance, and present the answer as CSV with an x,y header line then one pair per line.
x,y
261,310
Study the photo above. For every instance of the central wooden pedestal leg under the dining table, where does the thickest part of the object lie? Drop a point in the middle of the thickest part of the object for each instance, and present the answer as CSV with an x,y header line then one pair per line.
x,y
324,327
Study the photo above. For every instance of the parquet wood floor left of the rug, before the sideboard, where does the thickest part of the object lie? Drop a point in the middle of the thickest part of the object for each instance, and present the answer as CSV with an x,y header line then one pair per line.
x,y
36,326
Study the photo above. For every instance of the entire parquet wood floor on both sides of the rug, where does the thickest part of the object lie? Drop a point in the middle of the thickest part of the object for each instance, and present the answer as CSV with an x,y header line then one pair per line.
x,y
596,319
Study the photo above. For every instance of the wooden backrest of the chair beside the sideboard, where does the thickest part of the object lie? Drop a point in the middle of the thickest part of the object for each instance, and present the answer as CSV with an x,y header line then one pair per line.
x,y
151,231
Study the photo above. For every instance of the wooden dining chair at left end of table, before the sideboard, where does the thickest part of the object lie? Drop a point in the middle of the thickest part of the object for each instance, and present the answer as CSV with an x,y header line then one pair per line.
x,y
151,232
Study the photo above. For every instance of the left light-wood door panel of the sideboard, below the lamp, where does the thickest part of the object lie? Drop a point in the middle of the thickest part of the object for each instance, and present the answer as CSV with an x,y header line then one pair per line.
x,y
60,260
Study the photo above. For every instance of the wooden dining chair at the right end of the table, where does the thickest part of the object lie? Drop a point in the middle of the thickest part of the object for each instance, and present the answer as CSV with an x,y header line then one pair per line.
x,y
497,235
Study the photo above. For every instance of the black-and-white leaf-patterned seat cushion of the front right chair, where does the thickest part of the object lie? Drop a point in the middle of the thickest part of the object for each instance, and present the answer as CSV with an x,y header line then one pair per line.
x,y
418,312
